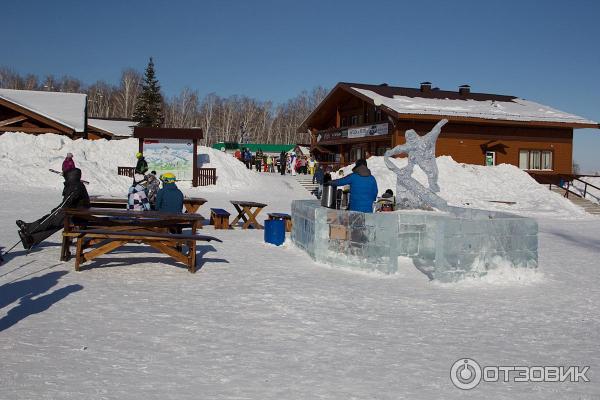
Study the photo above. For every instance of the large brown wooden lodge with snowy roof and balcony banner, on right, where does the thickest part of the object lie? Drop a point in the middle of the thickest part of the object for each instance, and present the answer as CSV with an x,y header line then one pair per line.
x,y
358,120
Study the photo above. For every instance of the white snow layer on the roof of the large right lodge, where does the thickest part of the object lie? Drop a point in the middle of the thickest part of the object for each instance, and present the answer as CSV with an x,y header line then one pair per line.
x,y
507,109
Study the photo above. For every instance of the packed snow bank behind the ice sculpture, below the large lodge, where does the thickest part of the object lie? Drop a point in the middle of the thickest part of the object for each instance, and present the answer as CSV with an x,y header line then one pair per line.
x,y
502,188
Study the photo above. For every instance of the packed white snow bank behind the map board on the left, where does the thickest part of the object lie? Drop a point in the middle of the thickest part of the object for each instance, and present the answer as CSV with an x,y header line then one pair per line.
x,y
26,160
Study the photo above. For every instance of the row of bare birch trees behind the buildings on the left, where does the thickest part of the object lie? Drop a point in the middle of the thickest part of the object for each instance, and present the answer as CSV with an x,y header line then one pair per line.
x,y
221,118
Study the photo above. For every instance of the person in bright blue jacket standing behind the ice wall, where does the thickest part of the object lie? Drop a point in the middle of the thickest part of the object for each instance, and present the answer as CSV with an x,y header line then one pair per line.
x,y
363,187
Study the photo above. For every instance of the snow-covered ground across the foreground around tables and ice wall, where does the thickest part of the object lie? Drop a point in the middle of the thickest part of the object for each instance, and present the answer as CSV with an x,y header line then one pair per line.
x,y
265,322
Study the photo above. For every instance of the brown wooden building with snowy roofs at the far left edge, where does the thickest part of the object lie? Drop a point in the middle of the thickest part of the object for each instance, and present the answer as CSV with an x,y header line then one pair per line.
x,y
39,112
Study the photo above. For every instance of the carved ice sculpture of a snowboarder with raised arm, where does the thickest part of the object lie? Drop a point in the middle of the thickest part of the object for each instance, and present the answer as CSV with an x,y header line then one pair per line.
x,y
421,151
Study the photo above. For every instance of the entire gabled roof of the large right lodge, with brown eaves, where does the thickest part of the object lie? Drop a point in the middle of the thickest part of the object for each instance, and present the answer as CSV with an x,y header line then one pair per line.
x,y
412,103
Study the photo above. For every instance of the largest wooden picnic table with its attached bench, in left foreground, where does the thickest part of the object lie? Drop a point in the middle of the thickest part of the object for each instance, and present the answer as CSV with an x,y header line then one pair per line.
x,y
103,230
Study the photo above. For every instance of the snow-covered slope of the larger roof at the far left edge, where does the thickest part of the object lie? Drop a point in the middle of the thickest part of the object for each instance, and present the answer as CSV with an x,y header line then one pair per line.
x,y
67,109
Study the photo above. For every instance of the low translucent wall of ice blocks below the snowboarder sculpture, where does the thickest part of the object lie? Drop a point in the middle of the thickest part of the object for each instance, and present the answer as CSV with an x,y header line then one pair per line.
x,y
446,246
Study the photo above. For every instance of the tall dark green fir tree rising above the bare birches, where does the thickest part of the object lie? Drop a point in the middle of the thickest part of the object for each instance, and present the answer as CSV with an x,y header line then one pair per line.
x,y
148,110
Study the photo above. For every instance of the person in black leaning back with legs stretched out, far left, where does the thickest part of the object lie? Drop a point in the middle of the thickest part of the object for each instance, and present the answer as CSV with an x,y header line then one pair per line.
x,y
74,196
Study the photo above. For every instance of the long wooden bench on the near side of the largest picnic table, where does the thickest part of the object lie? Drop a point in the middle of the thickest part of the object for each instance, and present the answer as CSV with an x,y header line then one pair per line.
x,y
109,240
